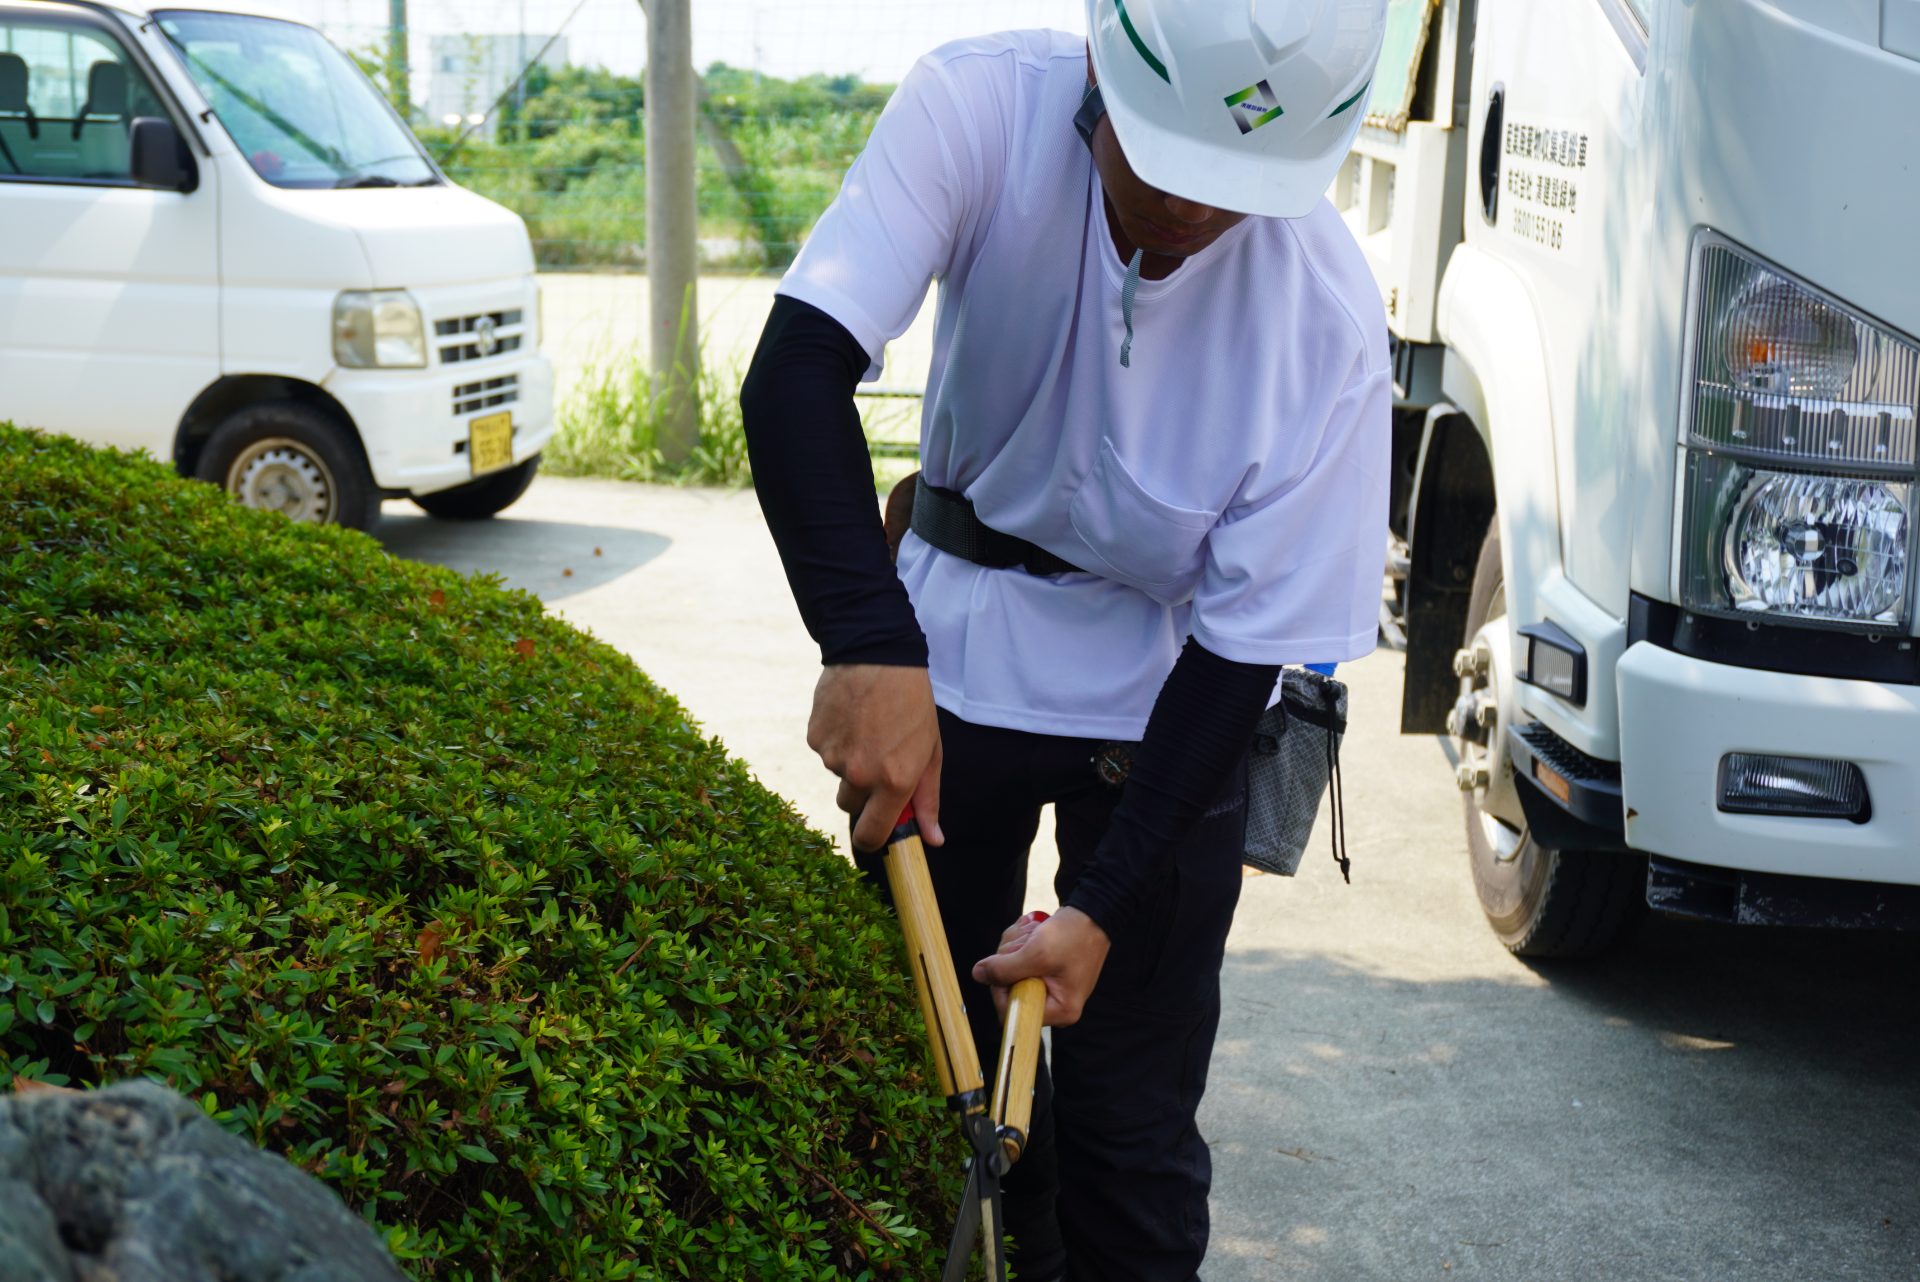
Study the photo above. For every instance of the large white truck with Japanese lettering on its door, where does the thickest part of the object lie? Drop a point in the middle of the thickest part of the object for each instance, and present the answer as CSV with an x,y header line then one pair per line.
x,y
1654,285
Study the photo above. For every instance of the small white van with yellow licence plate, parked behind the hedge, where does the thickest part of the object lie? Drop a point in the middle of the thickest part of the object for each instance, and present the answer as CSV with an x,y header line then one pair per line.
x,y
220,245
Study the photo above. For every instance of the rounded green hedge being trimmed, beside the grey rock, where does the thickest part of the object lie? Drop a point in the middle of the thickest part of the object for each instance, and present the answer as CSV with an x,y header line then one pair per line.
x,y
439,897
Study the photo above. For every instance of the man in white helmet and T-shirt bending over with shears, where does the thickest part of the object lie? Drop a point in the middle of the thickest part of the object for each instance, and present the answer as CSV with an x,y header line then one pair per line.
x,y
1155,467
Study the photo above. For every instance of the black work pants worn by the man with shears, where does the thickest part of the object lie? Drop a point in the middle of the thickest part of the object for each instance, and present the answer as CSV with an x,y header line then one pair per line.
x,y
1115,1181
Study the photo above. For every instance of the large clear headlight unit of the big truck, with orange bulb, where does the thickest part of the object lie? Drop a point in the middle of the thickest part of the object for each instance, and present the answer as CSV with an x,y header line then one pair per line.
x,y
1800,431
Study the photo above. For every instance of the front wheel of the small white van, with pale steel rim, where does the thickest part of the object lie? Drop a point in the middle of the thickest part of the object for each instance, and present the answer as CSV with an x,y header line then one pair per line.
x,y
295,460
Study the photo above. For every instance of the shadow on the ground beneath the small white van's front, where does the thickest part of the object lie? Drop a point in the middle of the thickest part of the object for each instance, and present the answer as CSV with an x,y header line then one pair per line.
x,y
546,558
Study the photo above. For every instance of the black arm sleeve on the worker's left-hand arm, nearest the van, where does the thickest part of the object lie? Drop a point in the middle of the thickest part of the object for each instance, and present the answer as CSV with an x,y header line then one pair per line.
x,y
817,490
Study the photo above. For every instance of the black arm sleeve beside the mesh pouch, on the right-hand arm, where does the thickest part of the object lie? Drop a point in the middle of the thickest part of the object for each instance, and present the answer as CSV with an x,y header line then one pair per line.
x,y
1201,728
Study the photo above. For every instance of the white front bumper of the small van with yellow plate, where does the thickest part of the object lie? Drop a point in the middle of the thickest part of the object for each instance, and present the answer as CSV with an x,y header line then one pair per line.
x,y
414,423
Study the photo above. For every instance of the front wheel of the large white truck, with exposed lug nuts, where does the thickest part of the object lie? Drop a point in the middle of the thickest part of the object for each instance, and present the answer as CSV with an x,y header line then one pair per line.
x,y
1541,903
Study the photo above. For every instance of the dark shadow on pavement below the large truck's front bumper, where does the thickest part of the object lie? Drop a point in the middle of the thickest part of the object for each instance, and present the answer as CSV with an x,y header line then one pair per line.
x,y
1710,1104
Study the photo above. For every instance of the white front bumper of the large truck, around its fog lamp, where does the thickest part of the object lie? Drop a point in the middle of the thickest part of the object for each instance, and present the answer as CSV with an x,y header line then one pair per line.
x,y
1679,717
